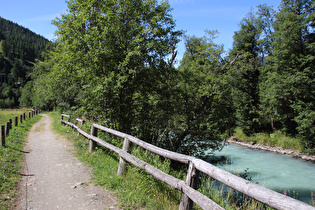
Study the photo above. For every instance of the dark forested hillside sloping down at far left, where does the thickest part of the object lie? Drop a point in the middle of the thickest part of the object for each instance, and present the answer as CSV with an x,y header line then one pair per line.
x,y
19,48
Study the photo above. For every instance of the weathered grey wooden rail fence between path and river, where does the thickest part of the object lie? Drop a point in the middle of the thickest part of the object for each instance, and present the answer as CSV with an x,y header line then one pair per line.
x,y
257,192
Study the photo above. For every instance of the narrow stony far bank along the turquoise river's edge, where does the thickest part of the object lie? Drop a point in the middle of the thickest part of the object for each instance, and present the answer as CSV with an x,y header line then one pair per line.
x,y
253,145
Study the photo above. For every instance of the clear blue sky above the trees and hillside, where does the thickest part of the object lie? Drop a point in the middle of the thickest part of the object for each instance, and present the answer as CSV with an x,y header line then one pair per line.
x,y
192,16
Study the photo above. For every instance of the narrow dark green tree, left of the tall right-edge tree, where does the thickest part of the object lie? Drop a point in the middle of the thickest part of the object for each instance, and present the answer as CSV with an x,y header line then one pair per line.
x,y
244,73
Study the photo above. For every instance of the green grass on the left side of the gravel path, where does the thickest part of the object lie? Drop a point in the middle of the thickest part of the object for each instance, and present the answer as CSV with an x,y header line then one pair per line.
x,y
11,160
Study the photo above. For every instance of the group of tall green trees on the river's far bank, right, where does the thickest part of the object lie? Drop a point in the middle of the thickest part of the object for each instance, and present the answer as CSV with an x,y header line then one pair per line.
x,y
270,76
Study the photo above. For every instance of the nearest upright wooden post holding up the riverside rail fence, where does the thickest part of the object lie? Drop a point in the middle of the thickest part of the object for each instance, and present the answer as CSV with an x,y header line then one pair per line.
x,y
191,180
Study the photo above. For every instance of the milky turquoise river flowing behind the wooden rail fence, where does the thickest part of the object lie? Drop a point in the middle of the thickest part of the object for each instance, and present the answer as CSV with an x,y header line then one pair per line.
x,y
280,173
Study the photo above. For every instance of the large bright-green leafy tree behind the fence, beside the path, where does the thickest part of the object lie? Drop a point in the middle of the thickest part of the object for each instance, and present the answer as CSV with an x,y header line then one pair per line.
x,y
114,53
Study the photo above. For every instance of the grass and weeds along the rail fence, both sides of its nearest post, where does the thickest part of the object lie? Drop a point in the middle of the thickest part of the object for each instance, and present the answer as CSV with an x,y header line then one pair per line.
x,y
136,188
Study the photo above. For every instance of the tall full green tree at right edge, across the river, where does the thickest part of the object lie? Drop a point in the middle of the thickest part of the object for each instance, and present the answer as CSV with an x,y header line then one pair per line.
x,y
288,88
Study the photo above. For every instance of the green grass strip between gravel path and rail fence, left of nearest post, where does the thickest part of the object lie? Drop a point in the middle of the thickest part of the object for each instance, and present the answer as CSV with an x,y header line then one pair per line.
x,y
136,189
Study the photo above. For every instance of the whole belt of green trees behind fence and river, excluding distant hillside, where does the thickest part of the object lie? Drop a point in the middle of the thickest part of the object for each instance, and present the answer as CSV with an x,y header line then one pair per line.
x,y
113,63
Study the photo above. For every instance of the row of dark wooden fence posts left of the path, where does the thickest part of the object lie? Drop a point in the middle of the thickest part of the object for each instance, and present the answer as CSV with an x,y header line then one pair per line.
x,y
5,129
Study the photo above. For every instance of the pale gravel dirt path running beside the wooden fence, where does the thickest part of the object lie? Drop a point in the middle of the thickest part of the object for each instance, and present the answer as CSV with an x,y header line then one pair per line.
x,y
54,179
